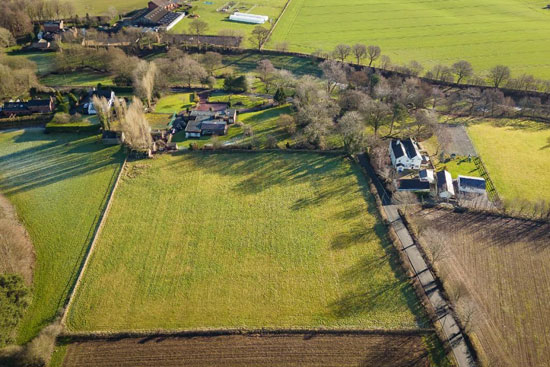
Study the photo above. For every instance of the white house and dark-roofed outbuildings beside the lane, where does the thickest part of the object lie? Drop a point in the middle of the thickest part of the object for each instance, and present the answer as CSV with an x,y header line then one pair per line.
x,y
408,160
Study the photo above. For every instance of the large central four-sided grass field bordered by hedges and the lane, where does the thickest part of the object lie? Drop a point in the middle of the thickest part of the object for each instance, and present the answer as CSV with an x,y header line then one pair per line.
x,y
234,240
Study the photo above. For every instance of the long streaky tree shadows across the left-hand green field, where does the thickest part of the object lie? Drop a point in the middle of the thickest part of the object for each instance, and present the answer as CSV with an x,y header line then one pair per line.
x,y
60,158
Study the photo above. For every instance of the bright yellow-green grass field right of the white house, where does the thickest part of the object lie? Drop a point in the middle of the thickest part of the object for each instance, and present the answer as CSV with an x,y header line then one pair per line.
x,y
516,157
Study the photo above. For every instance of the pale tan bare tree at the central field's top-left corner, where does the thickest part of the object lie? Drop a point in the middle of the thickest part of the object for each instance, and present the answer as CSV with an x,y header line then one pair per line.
x,y
137,132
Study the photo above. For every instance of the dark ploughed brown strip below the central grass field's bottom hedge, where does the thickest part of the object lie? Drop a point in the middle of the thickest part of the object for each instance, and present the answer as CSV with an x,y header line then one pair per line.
x,y
252,350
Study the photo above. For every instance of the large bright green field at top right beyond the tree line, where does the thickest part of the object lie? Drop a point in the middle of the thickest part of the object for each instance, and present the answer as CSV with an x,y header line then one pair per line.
x,y
509,32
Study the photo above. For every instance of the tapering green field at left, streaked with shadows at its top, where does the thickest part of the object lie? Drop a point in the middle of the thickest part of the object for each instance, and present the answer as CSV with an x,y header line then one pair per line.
x,y
58,184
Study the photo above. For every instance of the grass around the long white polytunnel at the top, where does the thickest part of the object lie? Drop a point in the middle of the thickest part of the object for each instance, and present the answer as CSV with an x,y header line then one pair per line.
x,y
217,21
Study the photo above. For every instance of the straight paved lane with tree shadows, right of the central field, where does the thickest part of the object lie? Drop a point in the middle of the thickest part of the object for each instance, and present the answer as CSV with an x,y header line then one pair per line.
x,y
445,318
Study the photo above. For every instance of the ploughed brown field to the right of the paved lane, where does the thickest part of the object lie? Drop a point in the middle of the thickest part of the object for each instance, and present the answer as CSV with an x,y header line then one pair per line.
x,y
497,270
